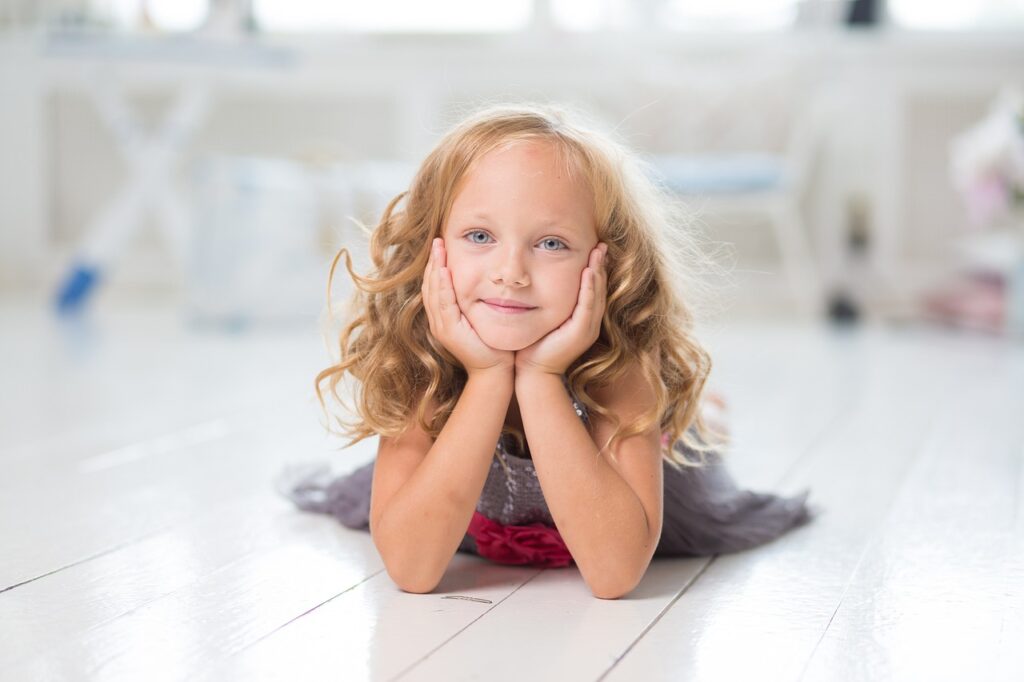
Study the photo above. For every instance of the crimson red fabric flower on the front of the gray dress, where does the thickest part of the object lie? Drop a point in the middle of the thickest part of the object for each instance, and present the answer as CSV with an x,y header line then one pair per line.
x,y
536,544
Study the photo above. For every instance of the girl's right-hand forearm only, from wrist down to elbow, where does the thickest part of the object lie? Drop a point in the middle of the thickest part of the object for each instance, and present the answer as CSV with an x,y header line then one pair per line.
x,y
599,516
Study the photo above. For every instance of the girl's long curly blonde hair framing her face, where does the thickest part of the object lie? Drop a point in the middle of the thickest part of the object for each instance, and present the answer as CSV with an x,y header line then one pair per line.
x,y
653,260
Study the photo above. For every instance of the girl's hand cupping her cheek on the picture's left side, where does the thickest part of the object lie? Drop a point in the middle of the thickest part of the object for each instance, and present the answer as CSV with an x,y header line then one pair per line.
x,y
449,325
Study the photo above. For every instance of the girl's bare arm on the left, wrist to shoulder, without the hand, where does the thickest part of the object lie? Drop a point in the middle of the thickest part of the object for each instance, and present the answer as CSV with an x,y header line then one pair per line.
x,y
424,494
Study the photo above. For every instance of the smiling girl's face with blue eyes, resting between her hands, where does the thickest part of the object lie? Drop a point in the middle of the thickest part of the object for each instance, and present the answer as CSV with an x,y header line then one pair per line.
x,y
520,234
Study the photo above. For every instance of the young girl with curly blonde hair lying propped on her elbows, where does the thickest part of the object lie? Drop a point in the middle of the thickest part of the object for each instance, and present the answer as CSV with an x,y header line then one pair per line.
x,y
527,294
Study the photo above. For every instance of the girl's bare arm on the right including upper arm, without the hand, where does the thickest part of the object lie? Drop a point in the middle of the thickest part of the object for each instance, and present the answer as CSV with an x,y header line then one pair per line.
x,y
609,514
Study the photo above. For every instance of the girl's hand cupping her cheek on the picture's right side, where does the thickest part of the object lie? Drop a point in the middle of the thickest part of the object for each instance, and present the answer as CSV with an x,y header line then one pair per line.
x,y
554,353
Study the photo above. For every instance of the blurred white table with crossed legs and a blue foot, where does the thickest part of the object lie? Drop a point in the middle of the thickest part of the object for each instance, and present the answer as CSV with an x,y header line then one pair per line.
x,y
153,157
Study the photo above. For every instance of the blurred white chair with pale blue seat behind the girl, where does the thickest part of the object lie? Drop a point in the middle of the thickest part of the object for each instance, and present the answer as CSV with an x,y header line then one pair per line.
x,y
742,145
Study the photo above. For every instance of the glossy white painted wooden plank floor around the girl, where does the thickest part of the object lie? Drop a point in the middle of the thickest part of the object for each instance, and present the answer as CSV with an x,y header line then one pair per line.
x,y
141,536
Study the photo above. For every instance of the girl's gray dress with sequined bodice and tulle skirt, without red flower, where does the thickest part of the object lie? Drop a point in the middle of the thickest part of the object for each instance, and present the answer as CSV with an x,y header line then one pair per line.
x,y
705,513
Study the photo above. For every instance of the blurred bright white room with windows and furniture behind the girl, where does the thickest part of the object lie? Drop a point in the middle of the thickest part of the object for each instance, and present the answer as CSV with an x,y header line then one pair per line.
x,y
852,159
